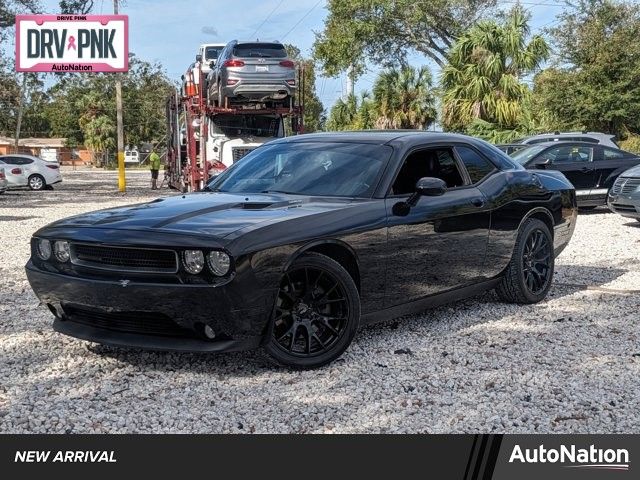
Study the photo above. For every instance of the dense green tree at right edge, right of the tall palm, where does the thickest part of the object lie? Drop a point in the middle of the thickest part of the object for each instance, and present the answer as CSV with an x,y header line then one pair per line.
x,y
594,84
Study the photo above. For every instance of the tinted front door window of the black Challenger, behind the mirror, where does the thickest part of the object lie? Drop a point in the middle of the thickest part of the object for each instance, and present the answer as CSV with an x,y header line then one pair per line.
x,y
437,162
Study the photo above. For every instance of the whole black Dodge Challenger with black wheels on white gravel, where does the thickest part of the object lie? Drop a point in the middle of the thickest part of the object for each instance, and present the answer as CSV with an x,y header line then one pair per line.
x,y
300,242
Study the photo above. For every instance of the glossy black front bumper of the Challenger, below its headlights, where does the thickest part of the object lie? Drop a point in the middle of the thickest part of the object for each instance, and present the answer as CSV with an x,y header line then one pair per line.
x,y
154,315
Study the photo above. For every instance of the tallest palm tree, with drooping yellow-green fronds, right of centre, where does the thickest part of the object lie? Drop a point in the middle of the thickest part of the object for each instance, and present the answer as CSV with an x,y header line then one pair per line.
x,y
482,77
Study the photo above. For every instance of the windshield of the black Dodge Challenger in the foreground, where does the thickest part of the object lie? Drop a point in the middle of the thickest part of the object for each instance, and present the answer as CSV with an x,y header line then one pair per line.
x,y
318,168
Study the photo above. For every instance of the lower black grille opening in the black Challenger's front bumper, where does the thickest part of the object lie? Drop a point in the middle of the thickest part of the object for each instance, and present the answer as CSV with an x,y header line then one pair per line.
x,y
145,323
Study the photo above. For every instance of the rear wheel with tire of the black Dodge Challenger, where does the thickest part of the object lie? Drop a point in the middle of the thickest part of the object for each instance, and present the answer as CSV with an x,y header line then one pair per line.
x,y
528,277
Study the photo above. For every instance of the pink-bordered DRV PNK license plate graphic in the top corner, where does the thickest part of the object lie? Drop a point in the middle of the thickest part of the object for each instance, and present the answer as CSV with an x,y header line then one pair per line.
x,y
72,43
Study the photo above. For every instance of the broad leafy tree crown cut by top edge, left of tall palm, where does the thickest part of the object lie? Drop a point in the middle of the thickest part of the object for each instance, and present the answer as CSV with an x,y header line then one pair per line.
x,y
385,30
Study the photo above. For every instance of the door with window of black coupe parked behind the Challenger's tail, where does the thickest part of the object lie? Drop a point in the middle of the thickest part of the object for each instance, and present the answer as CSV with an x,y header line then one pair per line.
x,y
574,161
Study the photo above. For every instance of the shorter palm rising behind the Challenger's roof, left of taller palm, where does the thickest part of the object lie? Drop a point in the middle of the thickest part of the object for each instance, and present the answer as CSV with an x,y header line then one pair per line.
x,y
404,98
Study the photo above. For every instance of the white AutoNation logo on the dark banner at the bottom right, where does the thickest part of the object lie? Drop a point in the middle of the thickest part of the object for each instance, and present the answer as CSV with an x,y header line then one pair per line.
x,y
573,457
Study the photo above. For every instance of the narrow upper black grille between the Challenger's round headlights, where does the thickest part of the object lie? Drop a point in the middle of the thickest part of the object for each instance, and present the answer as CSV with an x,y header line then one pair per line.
x,y
124,259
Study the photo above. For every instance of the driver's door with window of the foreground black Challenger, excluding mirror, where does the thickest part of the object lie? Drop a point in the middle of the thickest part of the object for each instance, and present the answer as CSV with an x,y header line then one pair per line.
x,y
440,243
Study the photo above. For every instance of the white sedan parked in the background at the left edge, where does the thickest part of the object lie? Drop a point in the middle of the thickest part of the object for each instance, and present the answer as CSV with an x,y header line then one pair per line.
x,y
37,174
